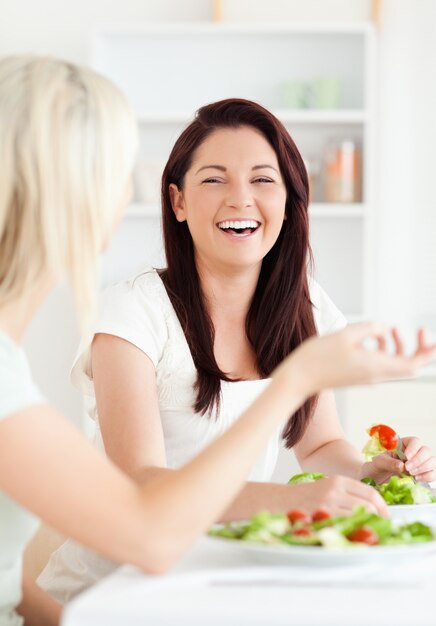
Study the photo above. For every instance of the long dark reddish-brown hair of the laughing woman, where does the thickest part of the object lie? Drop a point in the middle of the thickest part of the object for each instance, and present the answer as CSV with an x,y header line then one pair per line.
x,y
280,315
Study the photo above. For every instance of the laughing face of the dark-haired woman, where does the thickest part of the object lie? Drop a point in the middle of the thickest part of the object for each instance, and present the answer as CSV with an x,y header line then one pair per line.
x,y
233,198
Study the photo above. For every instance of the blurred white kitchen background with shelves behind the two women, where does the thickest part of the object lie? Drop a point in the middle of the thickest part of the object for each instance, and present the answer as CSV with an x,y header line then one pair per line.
x,y
353,80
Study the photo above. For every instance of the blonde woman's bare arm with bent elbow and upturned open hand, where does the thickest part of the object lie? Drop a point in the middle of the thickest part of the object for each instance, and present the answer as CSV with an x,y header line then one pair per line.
x,y
51,469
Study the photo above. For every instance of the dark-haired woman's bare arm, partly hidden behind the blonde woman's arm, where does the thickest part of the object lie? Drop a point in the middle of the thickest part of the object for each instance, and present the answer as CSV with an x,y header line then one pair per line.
x,y
126,396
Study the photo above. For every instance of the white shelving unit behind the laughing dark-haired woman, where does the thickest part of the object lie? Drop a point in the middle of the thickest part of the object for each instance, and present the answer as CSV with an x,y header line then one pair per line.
x,y
318,79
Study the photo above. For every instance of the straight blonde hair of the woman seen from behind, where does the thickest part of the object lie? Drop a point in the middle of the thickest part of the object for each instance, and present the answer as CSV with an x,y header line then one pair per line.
x,y
68,141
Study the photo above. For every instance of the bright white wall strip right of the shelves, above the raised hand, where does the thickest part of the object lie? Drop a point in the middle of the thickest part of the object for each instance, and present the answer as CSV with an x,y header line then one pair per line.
x,y
407,137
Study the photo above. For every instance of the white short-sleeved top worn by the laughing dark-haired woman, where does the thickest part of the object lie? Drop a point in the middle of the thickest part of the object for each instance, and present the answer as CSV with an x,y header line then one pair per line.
x,y
140,311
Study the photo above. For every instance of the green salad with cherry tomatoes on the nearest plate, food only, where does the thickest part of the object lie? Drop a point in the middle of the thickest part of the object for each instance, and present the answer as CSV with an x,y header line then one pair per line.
x,y
298,528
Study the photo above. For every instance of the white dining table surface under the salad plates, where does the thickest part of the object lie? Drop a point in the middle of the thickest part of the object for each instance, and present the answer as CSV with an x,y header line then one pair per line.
x,y
219,583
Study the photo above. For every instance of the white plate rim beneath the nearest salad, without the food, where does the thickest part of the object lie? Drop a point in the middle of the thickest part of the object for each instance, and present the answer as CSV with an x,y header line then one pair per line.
x,y
280,554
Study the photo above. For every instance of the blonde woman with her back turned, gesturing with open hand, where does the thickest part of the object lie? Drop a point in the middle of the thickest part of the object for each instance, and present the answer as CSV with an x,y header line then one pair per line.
x,y
67,146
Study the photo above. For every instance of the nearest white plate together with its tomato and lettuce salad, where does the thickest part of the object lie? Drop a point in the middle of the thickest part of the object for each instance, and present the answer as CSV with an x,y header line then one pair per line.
x,y
318,539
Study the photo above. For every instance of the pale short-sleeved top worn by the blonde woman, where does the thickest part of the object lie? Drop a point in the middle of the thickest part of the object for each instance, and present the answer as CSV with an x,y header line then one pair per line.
x,y
17,392
